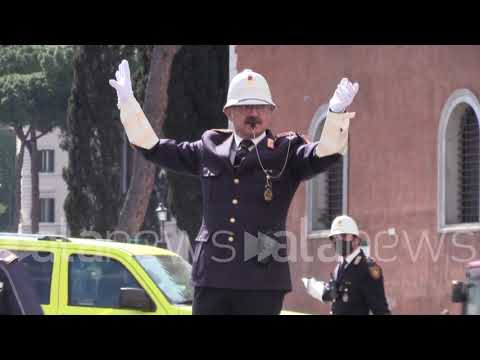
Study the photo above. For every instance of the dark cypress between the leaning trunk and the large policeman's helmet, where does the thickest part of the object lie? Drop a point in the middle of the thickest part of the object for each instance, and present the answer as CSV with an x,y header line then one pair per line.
x,y
197,94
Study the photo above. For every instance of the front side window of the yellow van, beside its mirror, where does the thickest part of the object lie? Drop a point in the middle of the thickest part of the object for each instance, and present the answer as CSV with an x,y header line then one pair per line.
x,y
96,281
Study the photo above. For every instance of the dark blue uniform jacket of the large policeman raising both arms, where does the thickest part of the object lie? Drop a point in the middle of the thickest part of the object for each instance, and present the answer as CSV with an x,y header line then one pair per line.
x,y
234,204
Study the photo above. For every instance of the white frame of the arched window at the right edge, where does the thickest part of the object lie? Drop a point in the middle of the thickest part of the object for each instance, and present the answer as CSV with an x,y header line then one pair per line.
x,y
458,97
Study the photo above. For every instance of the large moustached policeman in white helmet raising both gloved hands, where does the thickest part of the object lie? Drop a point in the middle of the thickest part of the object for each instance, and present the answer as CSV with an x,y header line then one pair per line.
x,y
248,176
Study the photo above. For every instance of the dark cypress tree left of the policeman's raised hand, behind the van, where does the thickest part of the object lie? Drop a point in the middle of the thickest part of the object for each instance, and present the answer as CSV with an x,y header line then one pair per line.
x,y
94,138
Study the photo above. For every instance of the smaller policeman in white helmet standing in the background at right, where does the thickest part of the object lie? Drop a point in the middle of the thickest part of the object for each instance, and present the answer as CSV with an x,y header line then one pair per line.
x,y
356,286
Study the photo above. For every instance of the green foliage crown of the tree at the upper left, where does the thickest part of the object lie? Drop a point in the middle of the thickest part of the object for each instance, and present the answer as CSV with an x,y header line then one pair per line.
x,y
35,84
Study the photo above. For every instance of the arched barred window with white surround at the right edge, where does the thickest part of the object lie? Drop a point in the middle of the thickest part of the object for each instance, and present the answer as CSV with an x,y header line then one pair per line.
x,y
458,163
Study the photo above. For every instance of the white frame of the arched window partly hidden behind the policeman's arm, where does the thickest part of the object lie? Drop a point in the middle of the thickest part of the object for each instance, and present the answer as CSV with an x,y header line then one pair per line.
x,y
318,118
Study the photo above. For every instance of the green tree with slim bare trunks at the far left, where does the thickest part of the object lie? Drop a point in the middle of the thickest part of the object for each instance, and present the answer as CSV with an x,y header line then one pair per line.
x,y
35,83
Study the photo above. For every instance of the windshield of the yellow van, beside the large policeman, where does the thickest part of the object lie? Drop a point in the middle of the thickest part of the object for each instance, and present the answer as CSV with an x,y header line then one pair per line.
x,y
171,274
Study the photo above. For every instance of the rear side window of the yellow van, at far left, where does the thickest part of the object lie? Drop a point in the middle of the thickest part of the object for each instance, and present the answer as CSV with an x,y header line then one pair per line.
x,y
39,266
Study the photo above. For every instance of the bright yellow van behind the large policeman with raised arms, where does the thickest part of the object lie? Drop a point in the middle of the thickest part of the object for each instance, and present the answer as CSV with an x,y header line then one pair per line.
x,y
99,277
